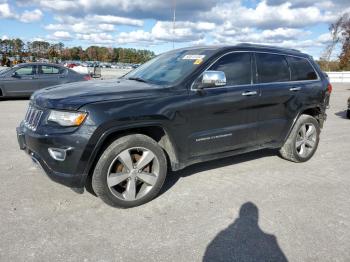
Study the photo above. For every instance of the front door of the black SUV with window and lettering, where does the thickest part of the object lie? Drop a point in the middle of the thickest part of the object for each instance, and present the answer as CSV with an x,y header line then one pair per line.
x,y
225,118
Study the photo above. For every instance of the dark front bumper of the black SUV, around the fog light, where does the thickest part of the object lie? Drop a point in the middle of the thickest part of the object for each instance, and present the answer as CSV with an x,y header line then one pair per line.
x,y
66,172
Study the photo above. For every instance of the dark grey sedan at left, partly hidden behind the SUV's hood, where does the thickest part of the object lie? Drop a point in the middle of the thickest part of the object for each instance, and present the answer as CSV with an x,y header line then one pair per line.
x,y
24,79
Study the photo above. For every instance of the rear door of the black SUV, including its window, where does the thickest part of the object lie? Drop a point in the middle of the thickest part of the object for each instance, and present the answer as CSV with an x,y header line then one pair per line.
x,y
280,97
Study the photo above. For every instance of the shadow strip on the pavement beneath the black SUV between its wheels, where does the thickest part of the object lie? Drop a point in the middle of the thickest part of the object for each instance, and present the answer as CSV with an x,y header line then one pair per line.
x,y
173,177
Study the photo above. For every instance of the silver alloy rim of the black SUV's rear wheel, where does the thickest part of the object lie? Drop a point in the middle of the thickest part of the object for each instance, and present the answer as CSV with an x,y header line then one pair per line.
x,y
306,140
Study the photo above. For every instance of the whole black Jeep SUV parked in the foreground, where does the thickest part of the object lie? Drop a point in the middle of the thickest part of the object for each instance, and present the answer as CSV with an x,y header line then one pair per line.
x,y
120,137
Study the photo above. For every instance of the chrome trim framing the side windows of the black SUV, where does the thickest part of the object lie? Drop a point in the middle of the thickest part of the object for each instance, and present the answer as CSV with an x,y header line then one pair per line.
x,y
255,84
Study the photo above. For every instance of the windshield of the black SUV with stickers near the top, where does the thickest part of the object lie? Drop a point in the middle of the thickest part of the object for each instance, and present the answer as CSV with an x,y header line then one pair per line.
x,y
169,68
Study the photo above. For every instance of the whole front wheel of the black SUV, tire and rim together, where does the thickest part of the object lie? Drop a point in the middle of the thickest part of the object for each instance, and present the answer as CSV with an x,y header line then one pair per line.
x,y
135,183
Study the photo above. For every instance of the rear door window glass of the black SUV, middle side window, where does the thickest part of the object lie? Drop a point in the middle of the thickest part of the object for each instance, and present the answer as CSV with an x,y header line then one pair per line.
x,y
272,68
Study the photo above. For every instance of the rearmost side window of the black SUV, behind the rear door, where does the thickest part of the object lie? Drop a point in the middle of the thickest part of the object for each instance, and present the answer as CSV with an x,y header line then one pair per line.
x,y
301,69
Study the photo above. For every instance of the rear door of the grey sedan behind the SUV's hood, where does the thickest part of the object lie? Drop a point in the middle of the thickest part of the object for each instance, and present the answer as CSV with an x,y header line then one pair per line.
x,y
50,75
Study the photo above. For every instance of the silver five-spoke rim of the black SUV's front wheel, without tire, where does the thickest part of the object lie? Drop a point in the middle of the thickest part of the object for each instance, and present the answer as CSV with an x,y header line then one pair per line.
x,y
133,173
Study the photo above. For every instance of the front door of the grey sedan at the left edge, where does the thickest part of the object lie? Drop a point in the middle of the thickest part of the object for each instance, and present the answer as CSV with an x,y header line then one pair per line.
x,y
21,81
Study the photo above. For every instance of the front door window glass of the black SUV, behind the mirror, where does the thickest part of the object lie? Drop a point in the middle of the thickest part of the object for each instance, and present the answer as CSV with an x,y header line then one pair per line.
x,y
237,68
